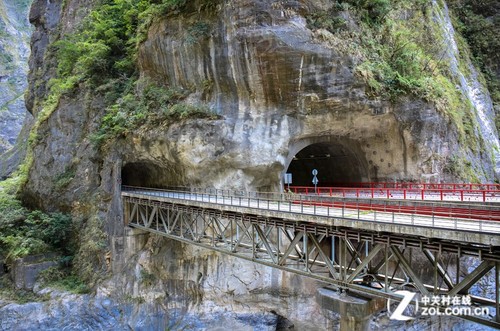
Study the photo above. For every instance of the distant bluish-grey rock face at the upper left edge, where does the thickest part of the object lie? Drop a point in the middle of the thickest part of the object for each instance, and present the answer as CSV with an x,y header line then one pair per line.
x,y
14,53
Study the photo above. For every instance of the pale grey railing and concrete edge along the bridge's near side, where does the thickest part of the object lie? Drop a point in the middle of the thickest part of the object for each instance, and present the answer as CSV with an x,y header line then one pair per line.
x,y
490,227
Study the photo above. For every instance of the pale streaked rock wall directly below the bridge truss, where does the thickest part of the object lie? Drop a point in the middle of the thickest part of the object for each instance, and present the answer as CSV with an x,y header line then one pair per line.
x,y
175,275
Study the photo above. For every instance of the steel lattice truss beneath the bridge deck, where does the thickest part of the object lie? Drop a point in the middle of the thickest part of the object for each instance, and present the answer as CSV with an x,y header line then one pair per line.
x,y
365,262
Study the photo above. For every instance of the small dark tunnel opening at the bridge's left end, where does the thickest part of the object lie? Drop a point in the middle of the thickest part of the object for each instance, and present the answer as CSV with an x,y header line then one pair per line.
x,y
148,174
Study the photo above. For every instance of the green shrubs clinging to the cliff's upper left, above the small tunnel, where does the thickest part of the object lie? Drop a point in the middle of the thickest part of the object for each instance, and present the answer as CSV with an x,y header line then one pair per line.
x,y
103,55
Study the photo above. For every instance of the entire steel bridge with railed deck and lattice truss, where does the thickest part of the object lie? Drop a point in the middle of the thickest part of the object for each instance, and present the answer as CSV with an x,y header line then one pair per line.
x,y
368,246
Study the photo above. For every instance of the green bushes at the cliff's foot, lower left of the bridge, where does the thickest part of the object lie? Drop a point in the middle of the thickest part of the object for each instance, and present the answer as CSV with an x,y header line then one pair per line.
x,y
26,232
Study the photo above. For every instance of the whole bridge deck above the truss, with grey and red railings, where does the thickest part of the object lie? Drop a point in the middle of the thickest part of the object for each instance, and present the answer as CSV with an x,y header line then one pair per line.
x,y
467,217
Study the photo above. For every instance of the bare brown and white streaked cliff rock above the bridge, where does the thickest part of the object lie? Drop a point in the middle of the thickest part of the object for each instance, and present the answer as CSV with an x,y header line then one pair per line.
x,y
278,87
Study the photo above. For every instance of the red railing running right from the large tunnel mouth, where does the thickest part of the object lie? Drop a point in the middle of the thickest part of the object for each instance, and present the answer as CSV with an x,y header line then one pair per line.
x,y
469,195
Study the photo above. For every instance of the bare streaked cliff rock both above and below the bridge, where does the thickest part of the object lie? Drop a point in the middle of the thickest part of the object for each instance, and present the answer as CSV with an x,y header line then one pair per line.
x,y
278,87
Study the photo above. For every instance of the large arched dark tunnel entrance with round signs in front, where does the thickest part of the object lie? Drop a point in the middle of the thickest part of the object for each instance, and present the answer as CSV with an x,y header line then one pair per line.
x,y
337,164
